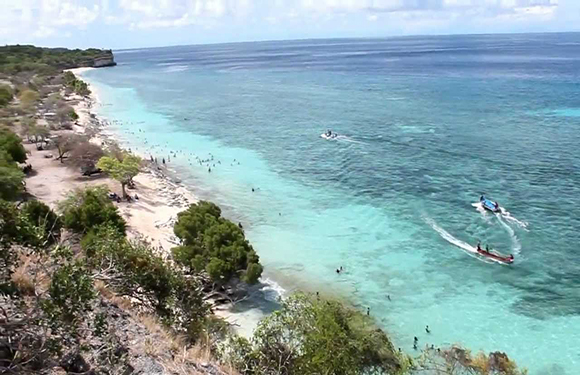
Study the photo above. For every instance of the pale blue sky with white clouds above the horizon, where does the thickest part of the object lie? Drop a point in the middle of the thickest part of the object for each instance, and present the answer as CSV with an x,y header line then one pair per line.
x,y
121,24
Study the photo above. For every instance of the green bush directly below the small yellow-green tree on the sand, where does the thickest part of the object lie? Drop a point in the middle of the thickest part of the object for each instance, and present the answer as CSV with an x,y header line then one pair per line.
x,y
86,209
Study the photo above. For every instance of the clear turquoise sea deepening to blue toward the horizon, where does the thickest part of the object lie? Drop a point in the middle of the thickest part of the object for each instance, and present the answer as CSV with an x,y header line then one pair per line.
x,y
426,125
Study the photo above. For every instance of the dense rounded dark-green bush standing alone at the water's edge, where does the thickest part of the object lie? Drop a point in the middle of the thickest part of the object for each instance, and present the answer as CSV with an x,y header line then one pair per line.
x,y
214,244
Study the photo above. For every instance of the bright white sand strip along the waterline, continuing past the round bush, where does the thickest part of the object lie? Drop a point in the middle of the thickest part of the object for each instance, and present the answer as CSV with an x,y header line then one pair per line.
x,y
161,197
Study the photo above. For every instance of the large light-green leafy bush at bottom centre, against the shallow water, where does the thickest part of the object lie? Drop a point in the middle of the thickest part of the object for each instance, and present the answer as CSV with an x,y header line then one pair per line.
x,y
311,336
